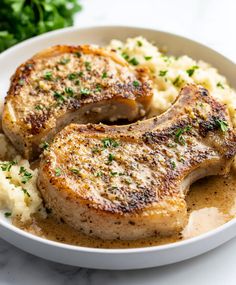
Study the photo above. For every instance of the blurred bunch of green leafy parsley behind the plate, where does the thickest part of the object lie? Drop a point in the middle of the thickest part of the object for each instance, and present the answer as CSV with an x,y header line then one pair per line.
x,y
22,19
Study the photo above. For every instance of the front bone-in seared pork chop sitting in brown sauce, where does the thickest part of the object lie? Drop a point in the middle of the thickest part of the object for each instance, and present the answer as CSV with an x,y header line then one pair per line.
x,y
130,182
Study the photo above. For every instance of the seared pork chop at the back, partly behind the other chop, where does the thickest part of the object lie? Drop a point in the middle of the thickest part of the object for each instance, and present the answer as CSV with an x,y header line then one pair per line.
x,y
65,84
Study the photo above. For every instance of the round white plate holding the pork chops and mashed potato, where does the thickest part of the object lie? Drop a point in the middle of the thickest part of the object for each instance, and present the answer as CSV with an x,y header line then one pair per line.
x,y
113,258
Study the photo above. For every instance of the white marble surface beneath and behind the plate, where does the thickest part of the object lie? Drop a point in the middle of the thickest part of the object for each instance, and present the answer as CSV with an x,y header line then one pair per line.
x,y
211,22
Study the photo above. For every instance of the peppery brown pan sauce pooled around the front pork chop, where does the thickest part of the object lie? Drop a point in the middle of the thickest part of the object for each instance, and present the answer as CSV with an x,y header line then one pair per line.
x,y
211,203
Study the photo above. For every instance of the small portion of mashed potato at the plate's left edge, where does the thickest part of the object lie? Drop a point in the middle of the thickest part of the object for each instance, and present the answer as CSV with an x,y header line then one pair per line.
x,y
19,196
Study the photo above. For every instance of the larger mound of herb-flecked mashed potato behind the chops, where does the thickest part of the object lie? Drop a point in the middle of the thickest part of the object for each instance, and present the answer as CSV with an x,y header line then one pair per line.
x,y
170,73
